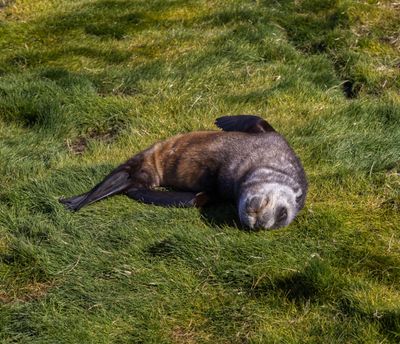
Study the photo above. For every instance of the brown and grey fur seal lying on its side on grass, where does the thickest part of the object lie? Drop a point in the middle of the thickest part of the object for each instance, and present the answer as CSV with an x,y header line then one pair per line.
x,y
248,162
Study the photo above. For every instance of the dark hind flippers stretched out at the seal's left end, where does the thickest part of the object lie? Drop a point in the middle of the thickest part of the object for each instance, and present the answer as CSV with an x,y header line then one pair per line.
x,y
113,184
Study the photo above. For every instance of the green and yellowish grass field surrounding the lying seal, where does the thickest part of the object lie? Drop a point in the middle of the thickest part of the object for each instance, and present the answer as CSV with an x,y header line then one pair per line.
x,y
85,84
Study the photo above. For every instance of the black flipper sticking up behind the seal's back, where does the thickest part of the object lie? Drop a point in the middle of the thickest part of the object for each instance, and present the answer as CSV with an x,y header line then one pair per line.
x,y
244,123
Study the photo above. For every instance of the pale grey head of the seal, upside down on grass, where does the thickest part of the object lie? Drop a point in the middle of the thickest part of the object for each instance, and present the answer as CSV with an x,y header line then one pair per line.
x,y
269,205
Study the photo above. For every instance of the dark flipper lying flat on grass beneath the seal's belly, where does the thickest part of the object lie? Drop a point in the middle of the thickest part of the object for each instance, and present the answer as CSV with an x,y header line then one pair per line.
x,y
169,198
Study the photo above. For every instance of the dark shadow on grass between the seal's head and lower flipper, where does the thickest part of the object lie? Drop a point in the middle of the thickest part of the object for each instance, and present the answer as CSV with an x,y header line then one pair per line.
x,y
221,214
